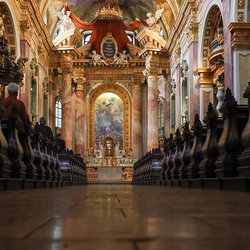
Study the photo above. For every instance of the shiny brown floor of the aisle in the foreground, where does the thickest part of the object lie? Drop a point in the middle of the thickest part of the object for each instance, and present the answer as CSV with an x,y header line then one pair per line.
x,y
124,217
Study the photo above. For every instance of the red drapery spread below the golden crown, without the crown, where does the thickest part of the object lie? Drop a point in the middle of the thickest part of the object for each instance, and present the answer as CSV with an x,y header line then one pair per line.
x,y
102,27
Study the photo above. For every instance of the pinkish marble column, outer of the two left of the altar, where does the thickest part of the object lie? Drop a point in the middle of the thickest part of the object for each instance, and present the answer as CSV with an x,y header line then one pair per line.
x,y
66,108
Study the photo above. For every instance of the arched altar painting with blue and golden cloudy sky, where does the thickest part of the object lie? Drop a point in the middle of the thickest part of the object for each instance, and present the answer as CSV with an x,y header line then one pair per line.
x,y
108,118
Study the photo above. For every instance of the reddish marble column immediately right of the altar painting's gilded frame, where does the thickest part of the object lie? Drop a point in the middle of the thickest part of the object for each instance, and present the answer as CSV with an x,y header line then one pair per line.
x,y
137,119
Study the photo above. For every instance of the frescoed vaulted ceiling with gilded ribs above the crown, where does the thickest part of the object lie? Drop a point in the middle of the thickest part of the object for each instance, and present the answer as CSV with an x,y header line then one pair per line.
x,y
133,9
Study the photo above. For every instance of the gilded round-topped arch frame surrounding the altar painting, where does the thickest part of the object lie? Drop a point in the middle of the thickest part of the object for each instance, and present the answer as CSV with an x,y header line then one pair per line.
x,y
119,90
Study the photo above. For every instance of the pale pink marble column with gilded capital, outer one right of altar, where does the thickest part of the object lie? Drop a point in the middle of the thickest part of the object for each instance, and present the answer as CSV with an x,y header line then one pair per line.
x,y
152,79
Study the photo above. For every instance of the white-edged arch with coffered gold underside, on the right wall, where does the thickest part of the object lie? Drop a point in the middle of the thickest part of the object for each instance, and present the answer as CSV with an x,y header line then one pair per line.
x,y
210,16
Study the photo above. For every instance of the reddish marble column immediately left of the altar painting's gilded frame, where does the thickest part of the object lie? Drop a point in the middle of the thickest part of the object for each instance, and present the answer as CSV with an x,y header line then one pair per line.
x,y
80,133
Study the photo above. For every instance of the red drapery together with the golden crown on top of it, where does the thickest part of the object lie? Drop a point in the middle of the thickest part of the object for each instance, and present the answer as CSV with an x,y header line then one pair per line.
x,y
108,19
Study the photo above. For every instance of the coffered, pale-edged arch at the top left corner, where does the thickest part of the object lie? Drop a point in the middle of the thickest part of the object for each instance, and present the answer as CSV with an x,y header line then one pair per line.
x,y
10,26
